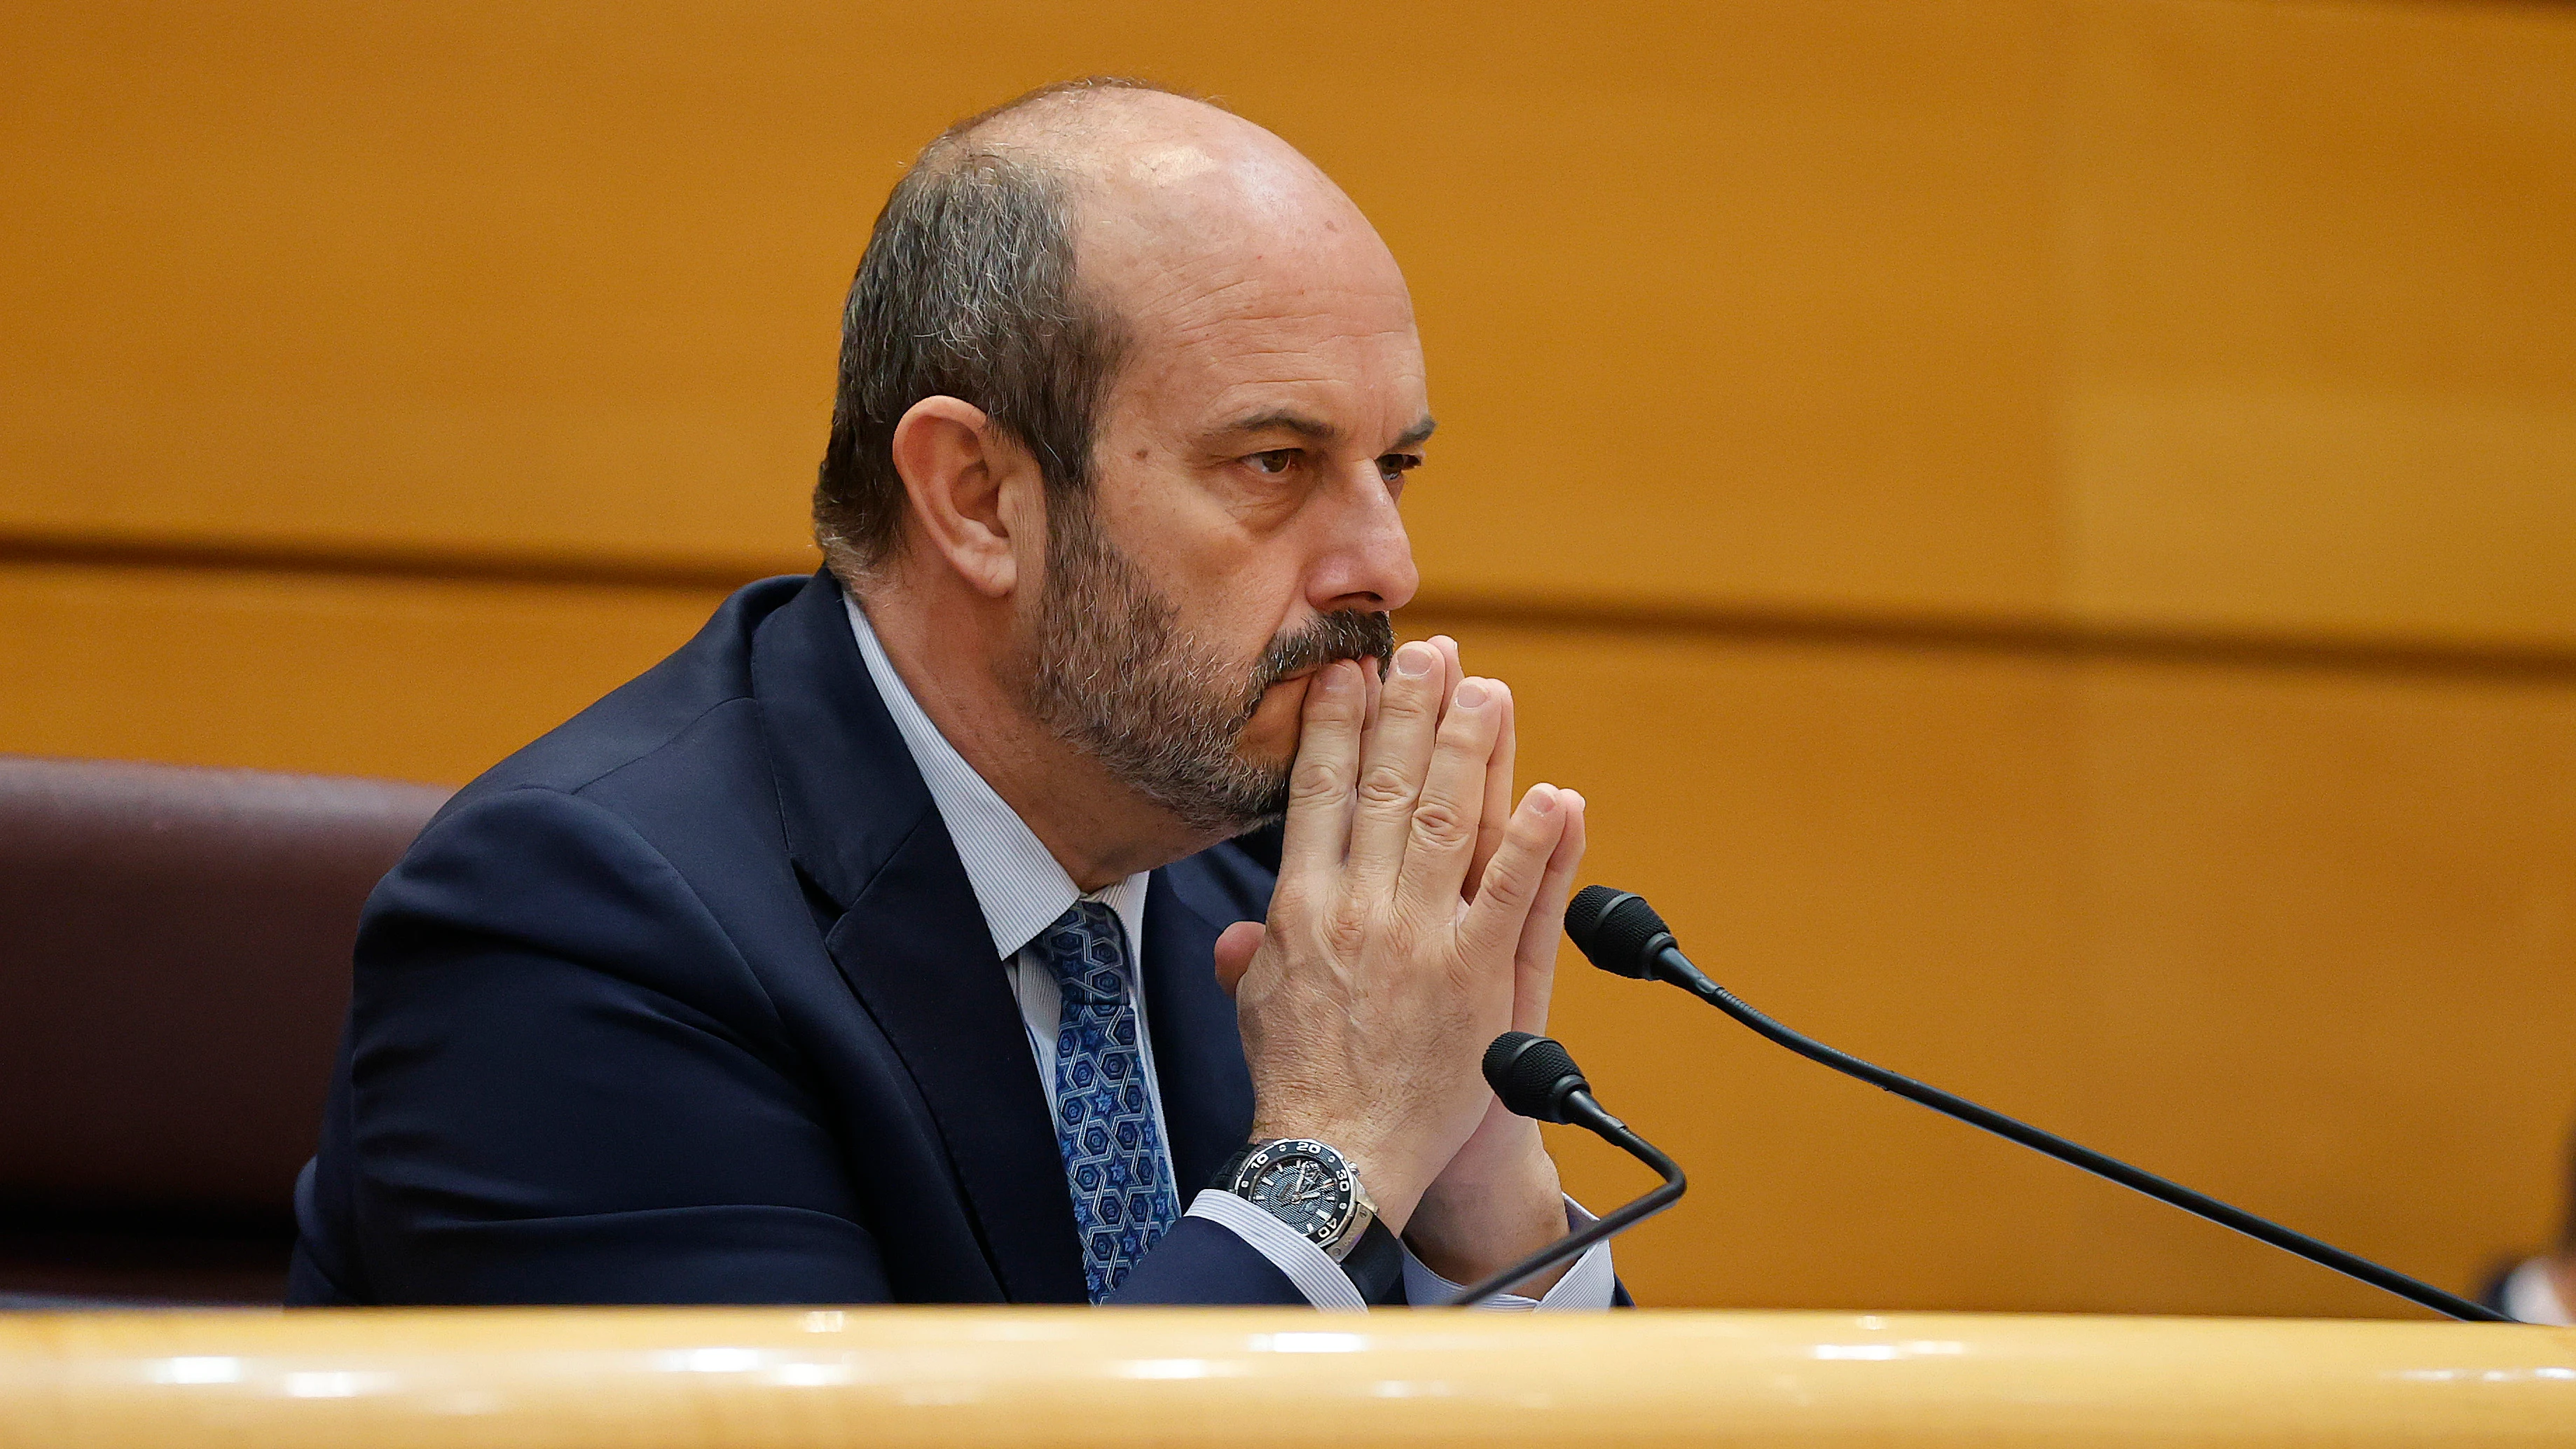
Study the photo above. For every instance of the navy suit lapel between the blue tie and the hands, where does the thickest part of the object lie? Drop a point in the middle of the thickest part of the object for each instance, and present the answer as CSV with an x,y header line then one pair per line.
x,y
1199,1053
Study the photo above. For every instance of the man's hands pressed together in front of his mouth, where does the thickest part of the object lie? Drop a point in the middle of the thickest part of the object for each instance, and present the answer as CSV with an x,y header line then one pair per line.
x,y
1416,919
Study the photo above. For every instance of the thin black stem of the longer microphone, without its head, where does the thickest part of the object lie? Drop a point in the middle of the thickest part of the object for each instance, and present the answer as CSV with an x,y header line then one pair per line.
x,y
1678,971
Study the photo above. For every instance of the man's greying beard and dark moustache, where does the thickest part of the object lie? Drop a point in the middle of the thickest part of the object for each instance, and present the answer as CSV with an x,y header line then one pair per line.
x,y
1117,677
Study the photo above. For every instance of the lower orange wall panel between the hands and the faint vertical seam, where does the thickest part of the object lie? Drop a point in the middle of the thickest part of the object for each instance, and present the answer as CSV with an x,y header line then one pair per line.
x,y
1866,844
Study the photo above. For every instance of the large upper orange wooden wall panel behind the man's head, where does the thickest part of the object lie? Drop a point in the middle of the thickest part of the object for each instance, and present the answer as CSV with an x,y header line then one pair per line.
x,y
555,282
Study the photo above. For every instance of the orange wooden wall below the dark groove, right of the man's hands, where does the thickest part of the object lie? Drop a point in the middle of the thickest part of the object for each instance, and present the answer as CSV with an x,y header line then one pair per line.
x,y
2299,937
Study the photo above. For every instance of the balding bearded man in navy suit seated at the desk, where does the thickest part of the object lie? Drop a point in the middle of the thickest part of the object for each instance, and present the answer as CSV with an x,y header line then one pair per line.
x,y
877,948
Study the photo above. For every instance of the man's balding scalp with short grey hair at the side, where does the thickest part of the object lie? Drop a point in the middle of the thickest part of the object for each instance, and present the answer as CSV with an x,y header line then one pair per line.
x,y
1037,249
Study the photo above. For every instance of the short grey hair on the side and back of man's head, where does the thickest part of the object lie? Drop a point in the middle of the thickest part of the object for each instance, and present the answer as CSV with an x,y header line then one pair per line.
x,y
967,290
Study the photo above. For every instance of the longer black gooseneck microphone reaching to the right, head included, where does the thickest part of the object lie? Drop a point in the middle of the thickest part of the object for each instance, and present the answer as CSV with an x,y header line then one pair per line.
x,y
1624,937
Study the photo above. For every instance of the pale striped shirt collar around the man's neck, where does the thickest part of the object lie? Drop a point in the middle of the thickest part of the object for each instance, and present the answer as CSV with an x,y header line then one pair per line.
x,y
1014,875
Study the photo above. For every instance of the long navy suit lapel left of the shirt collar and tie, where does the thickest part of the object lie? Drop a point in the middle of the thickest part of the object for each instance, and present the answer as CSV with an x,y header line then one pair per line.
x,y
911,940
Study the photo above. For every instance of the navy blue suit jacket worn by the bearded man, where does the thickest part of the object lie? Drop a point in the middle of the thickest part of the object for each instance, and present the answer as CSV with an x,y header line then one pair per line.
x,y
692,1002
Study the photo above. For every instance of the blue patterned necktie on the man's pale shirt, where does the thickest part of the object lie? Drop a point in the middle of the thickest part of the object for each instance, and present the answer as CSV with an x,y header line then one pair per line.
x,y
1104,1115
